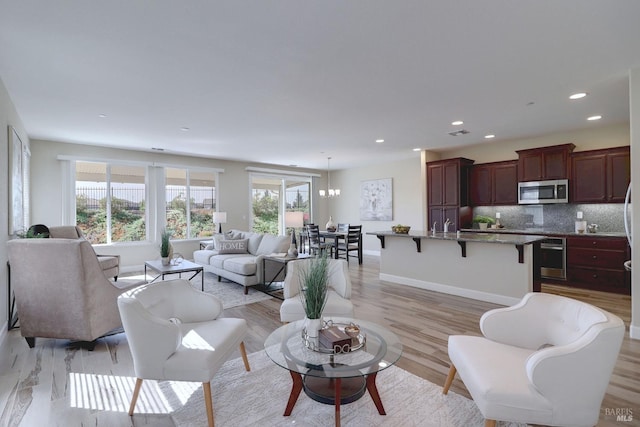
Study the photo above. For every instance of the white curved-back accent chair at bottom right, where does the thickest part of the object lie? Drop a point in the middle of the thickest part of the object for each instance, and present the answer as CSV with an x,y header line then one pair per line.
x,y
546,360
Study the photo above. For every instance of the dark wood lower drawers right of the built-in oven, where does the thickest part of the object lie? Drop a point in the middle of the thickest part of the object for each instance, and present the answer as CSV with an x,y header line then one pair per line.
x,y
598,263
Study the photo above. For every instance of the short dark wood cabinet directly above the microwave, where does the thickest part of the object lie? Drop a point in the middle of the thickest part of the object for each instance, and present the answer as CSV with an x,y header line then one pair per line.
x,y
539,164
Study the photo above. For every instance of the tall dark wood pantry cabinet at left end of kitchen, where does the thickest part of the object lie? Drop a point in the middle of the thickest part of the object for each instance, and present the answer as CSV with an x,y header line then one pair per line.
x,y
448,193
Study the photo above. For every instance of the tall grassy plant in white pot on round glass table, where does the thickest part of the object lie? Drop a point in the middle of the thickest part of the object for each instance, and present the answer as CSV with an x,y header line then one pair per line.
x,y
315,283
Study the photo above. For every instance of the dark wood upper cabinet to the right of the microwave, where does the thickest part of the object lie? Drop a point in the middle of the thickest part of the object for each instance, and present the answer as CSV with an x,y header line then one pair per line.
x,y
600,176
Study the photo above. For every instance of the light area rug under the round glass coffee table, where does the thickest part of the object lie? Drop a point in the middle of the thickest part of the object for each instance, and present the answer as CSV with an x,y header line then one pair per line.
x,y
258,398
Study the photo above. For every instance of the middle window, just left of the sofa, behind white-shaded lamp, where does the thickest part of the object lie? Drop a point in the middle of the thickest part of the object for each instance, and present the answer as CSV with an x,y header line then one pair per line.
x,y
190,202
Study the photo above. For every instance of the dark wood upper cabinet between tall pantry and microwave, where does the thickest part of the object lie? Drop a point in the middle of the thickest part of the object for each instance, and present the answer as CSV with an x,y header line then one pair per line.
x,y
494,184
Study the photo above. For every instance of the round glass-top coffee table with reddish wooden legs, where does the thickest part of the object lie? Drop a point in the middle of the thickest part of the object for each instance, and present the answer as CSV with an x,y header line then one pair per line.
x,y
329,377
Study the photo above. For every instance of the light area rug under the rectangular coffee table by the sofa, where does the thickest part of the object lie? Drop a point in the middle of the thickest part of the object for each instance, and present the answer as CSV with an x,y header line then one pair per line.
x,y
231,294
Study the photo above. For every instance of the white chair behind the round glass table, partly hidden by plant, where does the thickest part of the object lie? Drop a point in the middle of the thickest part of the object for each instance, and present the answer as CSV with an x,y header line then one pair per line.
x,y
338,297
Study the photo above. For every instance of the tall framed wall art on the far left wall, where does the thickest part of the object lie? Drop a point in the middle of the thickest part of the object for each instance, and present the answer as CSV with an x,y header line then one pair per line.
x,y
16,189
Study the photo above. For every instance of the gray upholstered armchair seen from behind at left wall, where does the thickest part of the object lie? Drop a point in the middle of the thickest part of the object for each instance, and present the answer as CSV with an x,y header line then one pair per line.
x,y
61,291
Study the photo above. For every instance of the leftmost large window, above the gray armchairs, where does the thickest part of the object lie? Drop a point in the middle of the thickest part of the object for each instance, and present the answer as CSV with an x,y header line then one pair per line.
x,y
110,202
